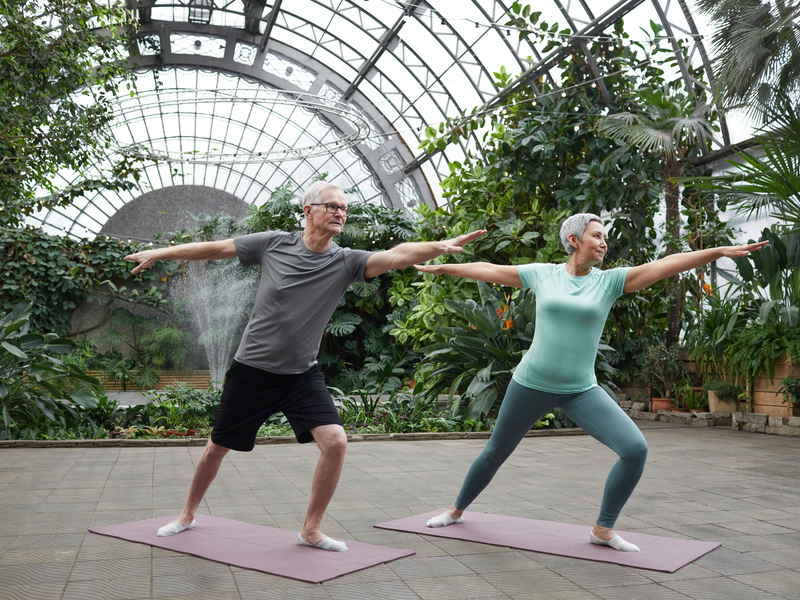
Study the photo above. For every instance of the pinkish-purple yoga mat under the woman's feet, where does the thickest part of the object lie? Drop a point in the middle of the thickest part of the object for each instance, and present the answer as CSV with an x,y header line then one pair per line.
x,y
656,553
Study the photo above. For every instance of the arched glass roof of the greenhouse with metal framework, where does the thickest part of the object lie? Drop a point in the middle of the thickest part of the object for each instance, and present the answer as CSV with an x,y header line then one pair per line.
x,y
400,65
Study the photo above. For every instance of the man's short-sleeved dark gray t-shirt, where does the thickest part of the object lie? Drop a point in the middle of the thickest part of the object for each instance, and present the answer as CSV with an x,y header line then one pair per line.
x,y
298,292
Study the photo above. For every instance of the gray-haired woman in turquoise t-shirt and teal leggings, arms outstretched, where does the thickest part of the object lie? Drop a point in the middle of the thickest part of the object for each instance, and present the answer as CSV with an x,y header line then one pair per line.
x,y
572,305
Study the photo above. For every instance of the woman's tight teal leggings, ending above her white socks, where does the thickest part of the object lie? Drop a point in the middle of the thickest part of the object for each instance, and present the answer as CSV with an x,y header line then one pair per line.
x,y
594,411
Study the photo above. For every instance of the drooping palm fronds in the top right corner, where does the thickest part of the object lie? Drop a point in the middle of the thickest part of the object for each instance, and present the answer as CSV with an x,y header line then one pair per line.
x,y
757,45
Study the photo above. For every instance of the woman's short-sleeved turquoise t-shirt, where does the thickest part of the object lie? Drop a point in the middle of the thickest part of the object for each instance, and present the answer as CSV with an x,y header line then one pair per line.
x,y
571,312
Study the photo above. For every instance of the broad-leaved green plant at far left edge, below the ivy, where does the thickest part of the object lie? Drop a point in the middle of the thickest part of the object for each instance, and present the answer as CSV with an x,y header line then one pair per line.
x,y
33,382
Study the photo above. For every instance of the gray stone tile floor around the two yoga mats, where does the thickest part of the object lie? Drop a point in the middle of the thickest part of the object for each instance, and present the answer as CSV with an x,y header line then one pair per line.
x,y
741,489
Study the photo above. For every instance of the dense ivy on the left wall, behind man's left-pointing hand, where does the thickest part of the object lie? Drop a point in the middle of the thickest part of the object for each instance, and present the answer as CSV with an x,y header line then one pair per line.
x,y
56,274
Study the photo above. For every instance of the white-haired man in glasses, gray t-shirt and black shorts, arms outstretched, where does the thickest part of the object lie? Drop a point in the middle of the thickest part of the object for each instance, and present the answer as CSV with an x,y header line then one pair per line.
x,y
304,276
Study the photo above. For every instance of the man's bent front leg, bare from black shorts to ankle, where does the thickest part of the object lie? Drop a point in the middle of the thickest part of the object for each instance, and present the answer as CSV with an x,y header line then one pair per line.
x,y
332,443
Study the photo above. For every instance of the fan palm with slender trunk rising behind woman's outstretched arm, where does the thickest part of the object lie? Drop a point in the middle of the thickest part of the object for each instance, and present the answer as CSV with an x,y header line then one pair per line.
x,y
669,125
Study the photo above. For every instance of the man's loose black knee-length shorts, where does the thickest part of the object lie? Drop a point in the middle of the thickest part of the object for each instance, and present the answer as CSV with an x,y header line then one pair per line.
x,y
250,396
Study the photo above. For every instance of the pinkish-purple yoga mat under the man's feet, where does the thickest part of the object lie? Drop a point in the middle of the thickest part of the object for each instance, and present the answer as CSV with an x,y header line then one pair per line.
x,y
255,547
